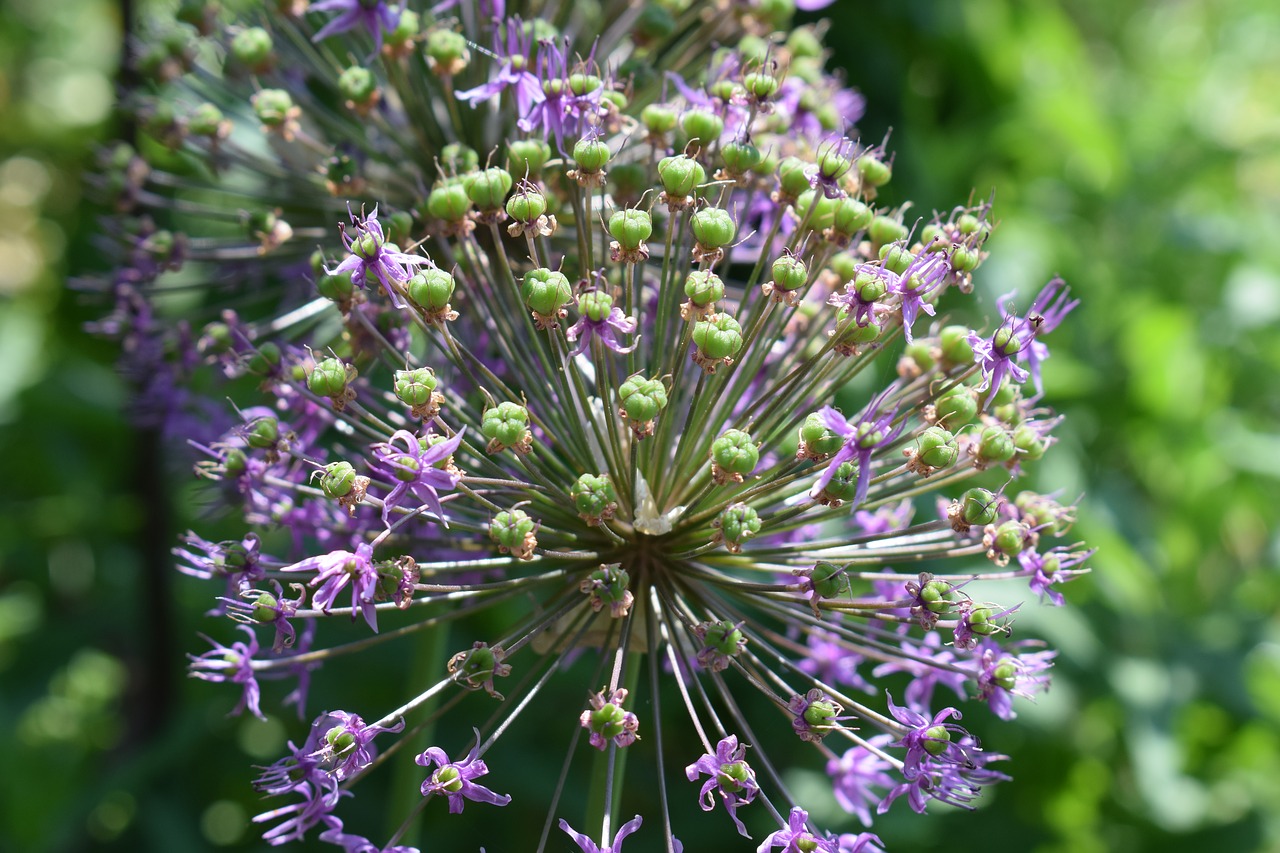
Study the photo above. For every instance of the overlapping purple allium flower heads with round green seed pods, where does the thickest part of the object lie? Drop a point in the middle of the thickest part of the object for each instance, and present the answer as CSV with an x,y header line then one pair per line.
x,y
589,340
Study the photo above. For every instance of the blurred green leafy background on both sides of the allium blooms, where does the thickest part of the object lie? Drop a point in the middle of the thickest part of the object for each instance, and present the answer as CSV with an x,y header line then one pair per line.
x,y
1133,148
